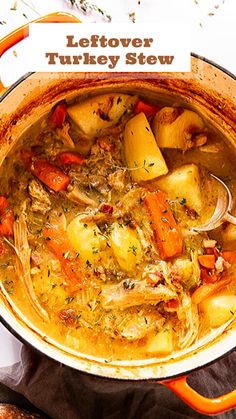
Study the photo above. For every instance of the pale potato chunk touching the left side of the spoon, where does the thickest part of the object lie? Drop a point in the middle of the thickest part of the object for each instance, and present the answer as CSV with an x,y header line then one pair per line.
x,y
183,183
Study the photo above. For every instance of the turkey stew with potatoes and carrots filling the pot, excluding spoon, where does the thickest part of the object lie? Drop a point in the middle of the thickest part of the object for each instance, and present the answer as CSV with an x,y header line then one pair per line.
x,y
98,207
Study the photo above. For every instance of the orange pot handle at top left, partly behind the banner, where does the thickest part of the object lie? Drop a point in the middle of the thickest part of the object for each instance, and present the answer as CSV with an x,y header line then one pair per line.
x,y
20,33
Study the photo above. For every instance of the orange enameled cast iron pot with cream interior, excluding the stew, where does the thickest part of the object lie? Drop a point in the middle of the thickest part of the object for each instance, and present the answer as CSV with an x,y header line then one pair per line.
x,y
209,90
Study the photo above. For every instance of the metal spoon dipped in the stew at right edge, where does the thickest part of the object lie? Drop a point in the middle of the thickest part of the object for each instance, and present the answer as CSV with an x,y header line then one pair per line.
x,y
222,209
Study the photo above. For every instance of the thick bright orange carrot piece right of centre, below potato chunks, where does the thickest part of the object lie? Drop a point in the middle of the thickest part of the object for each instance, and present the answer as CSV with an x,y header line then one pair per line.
x,y
166,232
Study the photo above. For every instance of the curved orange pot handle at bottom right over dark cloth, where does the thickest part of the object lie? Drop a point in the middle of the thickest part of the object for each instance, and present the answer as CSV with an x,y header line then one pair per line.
x,y
208,406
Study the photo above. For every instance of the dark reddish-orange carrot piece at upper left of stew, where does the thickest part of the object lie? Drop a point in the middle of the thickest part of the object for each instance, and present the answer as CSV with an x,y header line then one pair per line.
x,y
46,172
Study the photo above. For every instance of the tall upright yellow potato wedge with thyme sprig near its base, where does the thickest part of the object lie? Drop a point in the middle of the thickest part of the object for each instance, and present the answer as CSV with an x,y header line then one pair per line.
x,y
141,150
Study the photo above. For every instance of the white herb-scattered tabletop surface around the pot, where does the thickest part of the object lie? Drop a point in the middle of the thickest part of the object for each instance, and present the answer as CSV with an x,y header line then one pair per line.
x,y
213,36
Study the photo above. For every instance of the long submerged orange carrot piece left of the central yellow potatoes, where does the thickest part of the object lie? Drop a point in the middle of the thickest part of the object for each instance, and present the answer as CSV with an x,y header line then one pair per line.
x,y
71,265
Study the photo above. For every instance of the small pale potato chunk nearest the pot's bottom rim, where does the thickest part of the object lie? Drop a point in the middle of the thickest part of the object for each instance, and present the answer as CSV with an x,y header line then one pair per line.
x,y
162,343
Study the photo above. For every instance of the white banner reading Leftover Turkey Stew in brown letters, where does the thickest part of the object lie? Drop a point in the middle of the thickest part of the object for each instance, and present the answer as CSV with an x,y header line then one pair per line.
x,y
109,47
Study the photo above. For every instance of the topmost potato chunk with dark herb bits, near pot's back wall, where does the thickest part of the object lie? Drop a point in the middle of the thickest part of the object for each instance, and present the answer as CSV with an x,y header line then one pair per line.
x,y
100,112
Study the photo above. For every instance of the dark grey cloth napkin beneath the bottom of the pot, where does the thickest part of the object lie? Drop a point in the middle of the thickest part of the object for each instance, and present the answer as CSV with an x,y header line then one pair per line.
x,y
63,393
